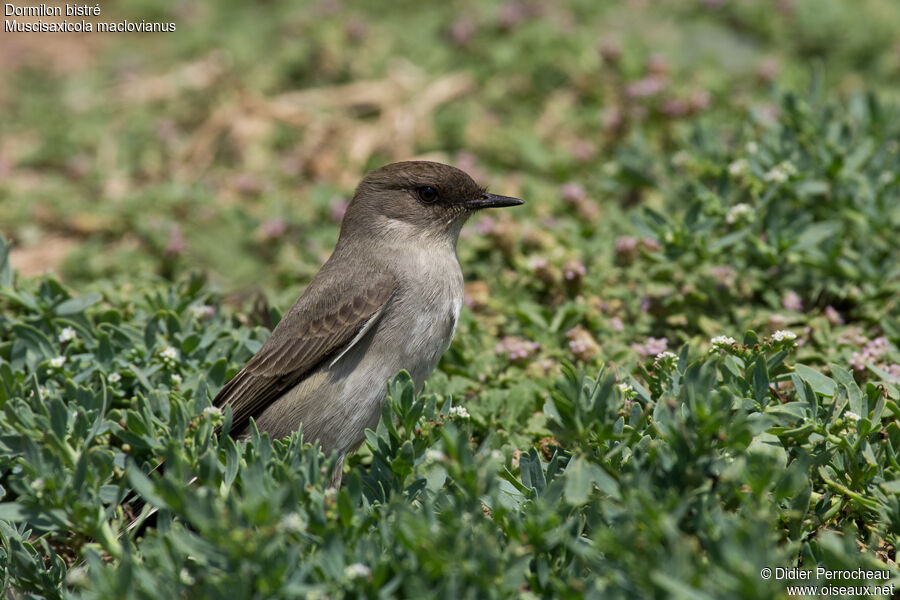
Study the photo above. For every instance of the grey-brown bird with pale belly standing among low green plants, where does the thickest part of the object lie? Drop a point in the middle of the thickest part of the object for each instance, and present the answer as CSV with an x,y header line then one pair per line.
x,y
387,299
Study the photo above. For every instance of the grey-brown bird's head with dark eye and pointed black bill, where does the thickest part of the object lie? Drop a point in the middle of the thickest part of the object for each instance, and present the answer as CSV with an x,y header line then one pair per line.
x,y
417,200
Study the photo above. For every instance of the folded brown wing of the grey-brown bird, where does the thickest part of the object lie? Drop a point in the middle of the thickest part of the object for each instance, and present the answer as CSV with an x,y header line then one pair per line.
x,y
319,326
